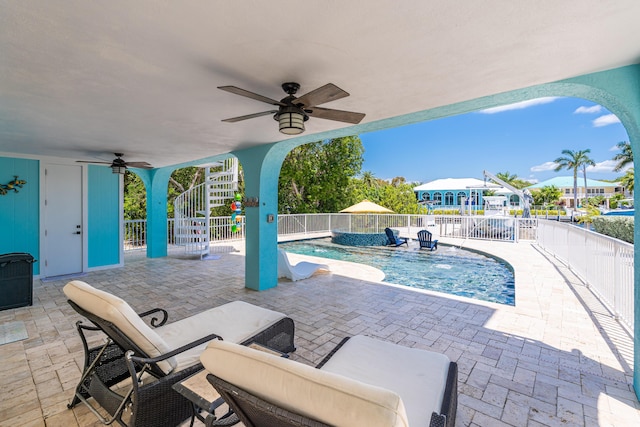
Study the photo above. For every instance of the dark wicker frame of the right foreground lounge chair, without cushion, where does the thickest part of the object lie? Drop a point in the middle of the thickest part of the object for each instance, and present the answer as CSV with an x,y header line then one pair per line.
x,y
256,412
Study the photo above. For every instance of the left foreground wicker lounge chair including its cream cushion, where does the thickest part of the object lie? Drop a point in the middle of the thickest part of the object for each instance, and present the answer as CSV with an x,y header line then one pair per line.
x,y
163,355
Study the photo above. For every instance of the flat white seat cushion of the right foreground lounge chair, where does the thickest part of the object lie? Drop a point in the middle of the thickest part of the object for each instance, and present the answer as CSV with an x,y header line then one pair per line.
x,y
396,368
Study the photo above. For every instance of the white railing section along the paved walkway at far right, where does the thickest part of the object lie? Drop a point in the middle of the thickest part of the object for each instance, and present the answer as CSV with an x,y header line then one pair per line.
x,y
603,263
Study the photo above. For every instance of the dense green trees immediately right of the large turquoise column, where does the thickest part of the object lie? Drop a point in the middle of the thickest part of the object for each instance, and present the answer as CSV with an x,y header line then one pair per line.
x,y
315,177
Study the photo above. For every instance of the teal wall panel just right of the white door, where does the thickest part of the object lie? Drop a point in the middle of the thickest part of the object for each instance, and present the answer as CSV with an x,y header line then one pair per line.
x,y
103,217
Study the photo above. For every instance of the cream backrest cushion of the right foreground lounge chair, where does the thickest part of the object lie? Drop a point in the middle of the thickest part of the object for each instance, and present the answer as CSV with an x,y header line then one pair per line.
x,y
323,396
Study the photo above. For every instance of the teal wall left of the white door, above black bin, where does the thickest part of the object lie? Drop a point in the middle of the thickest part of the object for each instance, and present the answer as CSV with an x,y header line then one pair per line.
x,y
20,212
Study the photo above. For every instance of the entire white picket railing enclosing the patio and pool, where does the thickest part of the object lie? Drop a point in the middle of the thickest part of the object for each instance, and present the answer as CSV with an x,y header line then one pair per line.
x,y
603,263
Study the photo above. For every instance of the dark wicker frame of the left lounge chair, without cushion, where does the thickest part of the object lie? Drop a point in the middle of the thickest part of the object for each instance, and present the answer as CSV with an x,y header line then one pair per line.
x,y
154,403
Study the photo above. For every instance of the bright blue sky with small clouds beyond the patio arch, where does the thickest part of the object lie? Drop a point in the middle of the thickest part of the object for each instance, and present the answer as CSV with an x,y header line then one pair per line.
x,y
523,139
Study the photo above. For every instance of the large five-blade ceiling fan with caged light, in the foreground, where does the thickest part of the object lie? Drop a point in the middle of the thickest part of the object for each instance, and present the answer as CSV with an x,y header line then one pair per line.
x,y
293,111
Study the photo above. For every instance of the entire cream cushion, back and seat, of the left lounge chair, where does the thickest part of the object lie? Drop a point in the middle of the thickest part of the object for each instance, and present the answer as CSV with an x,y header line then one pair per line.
x,y
235,321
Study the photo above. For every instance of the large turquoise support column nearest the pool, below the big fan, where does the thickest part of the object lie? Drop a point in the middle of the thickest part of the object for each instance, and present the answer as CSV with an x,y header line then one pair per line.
x,y
261,166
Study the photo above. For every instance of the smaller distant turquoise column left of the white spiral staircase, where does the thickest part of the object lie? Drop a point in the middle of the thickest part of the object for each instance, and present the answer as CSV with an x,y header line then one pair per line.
x,y
156,182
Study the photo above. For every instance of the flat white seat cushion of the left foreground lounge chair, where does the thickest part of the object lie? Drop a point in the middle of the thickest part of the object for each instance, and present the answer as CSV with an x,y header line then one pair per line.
x,y
236,322
